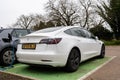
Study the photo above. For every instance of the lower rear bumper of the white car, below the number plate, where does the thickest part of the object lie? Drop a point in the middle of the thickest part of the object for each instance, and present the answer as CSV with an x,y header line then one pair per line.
x,y
42,58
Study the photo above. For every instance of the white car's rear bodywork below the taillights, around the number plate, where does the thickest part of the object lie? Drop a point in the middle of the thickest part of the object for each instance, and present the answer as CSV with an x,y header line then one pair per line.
x,y
53,55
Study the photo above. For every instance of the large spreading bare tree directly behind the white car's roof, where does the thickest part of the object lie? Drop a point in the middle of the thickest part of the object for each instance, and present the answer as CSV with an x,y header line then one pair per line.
x,y
63,12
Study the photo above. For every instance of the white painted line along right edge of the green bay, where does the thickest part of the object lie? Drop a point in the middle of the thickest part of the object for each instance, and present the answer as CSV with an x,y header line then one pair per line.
x,y
91,72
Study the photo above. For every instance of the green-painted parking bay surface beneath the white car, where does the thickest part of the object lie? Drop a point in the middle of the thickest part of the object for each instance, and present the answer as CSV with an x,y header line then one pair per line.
x,y
49,73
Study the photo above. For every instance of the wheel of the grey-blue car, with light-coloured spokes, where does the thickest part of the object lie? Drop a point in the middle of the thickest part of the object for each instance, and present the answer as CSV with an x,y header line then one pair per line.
x,y
7,57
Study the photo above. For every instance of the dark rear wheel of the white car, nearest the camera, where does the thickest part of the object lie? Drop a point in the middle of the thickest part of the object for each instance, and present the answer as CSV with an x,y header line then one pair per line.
x,y
73,61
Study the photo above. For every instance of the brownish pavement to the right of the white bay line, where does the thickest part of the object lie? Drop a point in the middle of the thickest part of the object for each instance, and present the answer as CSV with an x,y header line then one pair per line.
x,y
110,71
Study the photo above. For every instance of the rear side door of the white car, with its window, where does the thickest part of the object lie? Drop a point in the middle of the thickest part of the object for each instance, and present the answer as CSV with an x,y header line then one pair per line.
x,y
82,42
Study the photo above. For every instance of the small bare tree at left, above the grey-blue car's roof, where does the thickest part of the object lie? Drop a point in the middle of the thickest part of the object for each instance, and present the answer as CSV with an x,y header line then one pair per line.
x,y
24,21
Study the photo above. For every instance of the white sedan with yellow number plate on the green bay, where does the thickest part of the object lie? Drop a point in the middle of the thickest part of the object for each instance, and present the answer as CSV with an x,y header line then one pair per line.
x,y
59,47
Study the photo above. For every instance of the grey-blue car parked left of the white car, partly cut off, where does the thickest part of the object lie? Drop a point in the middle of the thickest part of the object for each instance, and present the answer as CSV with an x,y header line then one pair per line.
x,y
9,38
